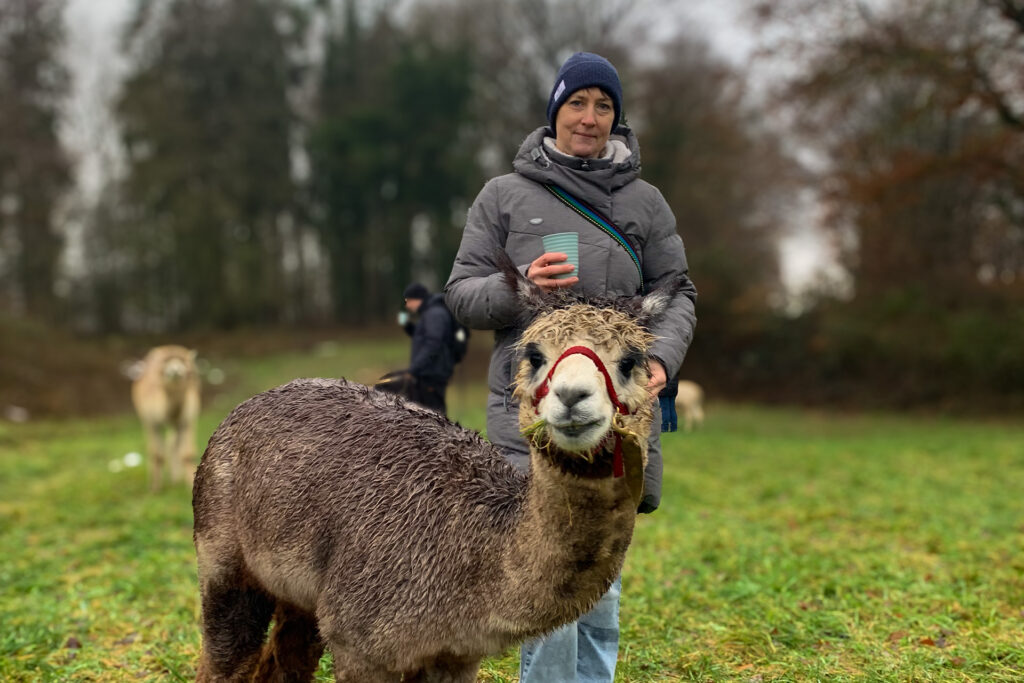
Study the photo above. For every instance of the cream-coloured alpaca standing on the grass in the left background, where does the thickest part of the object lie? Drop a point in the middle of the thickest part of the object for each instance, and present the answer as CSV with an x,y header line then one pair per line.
x,y
166,397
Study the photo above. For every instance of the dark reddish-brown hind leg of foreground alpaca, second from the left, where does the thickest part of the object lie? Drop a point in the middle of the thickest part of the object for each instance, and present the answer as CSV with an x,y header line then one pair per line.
x,y
294,650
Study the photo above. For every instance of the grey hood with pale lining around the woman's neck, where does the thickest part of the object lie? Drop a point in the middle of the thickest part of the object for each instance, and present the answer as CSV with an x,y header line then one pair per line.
x,y
582,178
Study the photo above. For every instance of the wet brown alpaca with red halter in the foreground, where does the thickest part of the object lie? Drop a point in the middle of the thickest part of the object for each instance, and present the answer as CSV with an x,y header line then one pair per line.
x,y
407,545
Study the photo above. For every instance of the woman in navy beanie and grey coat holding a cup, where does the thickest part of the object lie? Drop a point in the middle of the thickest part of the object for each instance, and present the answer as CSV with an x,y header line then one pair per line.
x,y
588,155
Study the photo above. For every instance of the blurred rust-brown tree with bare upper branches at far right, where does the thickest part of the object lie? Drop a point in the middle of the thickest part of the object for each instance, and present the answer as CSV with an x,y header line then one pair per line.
x,y
919,109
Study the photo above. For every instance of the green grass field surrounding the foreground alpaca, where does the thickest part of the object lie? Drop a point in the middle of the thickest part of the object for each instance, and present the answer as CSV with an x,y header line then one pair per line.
x,y
791,546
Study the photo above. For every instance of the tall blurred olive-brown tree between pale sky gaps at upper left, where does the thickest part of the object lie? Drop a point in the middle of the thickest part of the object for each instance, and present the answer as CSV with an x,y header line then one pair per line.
x,y
206,125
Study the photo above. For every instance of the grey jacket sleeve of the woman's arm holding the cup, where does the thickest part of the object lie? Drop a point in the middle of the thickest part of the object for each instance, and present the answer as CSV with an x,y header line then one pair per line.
x,y
477,293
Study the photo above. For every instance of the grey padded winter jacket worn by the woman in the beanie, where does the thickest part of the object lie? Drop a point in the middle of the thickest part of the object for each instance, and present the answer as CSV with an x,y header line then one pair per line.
x,y
515,211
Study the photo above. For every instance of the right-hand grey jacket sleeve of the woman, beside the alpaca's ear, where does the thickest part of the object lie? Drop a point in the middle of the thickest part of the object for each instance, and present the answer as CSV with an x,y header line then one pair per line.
x,y
665,261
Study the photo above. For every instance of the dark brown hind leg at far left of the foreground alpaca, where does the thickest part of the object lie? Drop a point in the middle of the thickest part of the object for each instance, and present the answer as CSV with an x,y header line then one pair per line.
x,y
235,621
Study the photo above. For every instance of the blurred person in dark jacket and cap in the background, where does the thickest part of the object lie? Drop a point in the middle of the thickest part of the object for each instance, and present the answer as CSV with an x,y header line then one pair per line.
x,y
433,358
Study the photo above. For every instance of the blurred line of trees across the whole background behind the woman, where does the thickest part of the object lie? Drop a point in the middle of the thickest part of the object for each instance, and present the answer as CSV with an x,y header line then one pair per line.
x,y
300,162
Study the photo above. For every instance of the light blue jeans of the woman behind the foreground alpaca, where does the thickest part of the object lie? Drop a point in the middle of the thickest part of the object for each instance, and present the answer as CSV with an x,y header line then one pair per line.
x,y
584,652
